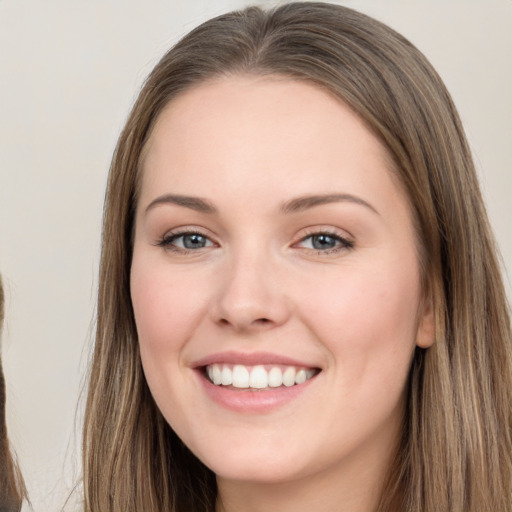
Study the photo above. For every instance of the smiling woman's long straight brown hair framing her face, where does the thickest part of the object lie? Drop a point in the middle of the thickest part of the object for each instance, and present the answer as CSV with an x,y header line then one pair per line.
x,y
456,450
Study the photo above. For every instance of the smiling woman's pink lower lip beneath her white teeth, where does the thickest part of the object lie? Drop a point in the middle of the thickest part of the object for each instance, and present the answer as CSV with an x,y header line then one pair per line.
x,y
253,400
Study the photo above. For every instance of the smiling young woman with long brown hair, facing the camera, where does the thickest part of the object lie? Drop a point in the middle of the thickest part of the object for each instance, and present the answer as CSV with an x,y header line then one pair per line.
x,y
300,303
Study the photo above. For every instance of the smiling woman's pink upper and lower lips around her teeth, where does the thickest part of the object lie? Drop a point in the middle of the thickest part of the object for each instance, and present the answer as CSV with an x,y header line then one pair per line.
x,y
248,400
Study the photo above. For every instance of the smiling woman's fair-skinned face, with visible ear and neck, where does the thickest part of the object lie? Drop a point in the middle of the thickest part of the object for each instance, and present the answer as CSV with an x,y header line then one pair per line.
x,y
271,233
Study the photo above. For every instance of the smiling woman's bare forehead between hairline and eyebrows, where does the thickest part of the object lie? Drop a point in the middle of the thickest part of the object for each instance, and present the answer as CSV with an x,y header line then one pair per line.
x,y
250,131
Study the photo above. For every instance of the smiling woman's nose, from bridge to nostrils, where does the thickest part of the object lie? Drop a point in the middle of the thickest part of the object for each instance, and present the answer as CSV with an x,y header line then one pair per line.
x,y
250,296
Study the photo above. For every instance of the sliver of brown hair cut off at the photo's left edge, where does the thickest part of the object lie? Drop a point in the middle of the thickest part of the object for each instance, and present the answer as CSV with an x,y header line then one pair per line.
x,y
12,487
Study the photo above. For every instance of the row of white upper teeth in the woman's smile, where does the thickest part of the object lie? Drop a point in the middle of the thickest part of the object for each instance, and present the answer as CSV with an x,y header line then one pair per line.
x,y
257,377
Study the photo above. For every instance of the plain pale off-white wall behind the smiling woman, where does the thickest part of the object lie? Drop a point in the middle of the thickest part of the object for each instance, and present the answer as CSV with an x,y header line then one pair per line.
x,y
70,71
